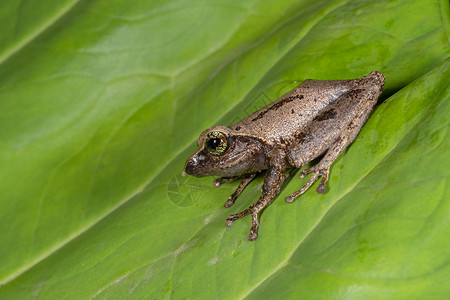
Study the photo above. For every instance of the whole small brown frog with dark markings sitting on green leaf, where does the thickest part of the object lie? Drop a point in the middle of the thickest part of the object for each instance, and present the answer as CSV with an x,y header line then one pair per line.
x,y
316,121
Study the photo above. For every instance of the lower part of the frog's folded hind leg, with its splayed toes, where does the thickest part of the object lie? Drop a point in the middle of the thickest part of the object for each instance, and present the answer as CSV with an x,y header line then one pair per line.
x,y
322,169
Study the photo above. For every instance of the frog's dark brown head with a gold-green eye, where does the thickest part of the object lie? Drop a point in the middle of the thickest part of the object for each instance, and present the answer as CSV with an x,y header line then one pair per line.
x,y
223,153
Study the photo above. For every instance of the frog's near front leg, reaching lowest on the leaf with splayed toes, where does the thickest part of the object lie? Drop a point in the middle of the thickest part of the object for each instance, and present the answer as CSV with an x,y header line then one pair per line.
x,y
272,182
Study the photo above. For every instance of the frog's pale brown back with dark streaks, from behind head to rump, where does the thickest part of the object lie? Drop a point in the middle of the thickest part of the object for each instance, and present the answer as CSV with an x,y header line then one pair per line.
x,y
280,119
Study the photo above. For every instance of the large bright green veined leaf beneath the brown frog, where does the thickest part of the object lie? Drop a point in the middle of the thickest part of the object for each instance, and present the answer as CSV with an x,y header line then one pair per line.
x,y
101,103
